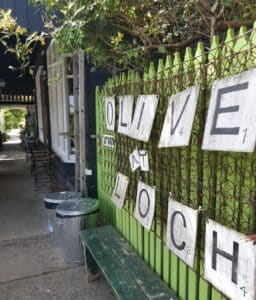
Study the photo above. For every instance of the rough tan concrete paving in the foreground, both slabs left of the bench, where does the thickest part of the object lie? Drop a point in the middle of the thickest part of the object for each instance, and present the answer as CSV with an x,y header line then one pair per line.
x,y
32,269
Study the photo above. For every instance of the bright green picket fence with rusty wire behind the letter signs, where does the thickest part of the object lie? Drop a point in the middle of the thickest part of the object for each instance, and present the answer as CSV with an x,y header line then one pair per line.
x,y
222,183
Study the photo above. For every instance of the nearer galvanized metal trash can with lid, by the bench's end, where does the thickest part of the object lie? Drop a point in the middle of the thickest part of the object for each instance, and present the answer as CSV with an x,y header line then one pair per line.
x,y
73,217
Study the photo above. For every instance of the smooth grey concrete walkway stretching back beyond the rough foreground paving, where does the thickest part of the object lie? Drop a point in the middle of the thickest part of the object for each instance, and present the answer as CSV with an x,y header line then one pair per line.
x,y
21,213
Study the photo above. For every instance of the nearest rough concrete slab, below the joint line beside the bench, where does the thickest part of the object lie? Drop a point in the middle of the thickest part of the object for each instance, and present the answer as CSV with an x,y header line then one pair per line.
x,y
67,284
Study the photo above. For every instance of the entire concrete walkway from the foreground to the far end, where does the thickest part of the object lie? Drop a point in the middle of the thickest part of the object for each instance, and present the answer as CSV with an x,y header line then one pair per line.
x,y
30,267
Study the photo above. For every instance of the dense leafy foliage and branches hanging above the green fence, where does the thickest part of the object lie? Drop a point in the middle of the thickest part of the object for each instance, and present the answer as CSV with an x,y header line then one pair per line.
x,y
126,33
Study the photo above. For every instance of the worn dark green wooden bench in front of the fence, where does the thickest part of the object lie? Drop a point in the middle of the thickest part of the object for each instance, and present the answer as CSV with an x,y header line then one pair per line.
x,y
128,275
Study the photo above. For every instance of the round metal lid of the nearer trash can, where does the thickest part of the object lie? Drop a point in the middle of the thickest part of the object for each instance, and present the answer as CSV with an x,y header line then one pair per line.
x,y
72,208
